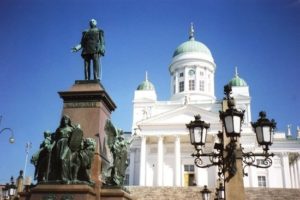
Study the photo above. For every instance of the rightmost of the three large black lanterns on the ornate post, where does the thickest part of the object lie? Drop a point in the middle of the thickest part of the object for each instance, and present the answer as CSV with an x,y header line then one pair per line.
x,y
264,129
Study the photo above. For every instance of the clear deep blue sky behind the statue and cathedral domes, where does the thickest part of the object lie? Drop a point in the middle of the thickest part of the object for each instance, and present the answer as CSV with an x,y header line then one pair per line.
x,y
261,37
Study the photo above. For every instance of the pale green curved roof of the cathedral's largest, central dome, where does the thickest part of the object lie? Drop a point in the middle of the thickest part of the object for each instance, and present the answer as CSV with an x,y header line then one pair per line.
x,y
192,46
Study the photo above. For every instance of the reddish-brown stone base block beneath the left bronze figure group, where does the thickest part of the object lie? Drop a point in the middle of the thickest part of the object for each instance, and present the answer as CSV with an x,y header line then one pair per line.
x,y
59,192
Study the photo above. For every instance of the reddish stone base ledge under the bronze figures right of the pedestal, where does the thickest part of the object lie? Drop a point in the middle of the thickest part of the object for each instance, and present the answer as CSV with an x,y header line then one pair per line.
x,y
114,194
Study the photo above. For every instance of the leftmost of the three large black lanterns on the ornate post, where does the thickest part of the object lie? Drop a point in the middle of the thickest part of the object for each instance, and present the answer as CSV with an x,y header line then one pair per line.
x,y
198,131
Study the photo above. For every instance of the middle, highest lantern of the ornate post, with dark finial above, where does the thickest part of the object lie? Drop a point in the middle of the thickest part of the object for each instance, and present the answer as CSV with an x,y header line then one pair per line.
x,y
232,118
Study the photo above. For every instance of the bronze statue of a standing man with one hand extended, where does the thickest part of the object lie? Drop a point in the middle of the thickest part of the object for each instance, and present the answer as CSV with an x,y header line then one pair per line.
x,y
92,45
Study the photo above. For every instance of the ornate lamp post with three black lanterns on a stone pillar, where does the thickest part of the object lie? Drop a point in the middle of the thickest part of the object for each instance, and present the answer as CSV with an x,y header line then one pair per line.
x,y
228,154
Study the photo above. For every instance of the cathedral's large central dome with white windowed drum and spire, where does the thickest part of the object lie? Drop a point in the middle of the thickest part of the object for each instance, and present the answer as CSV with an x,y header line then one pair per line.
x,y
192,72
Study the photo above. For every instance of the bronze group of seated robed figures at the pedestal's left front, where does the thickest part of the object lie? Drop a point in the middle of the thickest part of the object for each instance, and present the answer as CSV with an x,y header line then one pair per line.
x,y
65,156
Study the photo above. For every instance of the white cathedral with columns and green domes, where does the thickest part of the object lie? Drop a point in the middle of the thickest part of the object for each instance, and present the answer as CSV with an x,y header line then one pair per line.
x,y
161,156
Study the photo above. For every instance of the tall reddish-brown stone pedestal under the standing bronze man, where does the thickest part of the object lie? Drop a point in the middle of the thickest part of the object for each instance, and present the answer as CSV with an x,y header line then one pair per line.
x,y
88,104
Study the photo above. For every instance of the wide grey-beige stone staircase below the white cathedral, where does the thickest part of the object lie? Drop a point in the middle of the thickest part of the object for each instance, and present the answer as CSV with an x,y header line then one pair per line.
x,y
193,193
